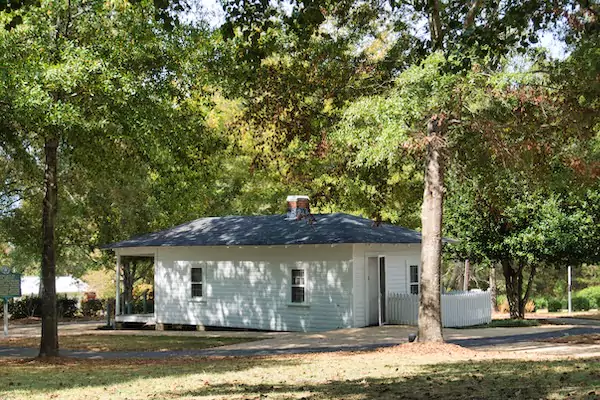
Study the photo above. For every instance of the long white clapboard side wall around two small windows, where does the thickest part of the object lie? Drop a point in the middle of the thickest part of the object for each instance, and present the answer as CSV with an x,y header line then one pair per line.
x,y
248,287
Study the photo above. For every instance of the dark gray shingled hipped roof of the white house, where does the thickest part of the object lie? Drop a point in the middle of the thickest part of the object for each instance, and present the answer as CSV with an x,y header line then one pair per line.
x,y
265,230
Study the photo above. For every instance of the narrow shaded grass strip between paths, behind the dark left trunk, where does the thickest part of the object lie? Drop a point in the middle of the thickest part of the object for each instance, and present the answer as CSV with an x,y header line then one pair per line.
x,y
112,342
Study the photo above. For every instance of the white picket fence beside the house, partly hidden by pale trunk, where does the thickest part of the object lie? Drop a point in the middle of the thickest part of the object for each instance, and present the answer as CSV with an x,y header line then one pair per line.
x,y
458,308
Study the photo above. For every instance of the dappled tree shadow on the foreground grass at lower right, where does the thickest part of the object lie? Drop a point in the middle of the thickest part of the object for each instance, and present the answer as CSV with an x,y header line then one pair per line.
x,y
471,380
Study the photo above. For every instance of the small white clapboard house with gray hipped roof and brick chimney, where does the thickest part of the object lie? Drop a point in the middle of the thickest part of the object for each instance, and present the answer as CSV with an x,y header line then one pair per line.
x,y
293,272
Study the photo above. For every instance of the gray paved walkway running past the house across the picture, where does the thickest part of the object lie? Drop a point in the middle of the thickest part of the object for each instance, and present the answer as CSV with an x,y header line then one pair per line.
x,y
360,339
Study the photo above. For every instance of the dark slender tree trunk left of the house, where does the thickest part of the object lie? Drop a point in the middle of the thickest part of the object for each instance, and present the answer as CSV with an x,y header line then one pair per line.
x,y
49,341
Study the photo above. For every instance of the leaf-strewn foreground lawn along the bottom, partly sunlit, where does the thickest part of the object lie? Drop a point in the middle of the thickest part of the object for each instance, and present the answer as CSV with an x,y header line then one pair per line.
x,y
381,374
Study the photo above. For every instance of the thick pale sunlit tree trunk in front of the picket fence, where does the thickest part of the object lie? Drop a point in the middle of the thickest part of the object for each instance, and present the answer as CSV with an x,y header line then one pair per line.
x,y
430,315
